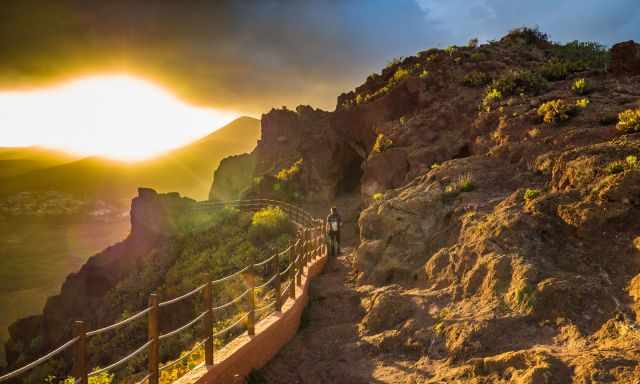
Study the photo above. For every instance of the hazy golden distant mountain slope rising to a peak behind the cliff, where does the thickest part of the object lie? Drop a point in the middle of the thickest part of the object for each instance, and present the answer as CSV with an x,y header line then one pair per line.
x,y
188,170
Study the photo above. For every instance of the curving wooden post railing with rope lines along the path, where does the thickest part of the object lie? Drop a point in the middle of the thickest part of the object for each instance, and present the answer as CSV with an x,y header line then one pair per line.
x,y
307,246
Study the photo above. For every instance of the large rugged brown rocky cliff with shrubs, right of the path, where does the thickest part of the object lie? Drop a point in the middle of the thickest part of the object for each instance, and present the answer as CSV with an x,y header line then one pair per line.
x,y
499,240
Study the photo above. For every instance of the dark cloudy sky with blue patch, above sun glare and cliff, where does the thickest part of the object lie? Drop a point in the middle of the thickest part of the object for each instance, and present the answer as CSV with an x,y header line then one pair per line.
x,y
245,57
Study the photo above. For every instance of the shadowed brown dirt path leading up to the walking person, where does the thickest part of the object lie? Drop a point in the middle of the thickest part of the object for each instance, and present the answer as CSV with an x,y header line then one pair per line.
x,y
326,348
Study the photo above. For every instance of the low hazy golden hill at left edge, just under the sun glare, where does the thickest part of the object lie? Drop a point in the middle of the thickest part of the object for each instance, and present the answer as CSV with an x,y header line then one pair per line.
x,y
16,161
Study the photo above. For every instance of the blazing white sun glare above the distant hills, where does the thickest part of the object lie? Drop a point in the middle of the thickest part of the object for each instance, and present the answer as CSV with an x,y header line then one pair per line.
x,y
116,116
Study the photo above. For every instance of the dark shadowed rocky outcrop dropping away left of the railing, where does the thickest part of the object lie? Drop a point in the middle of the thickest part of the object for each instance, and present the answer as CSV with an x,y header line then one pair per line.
x,y
153,221
